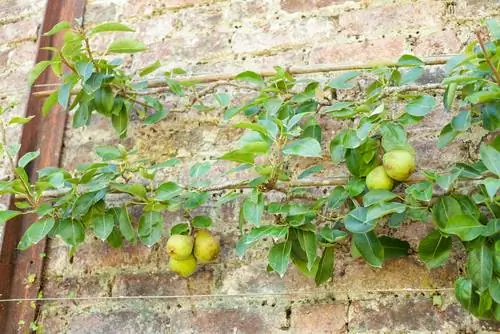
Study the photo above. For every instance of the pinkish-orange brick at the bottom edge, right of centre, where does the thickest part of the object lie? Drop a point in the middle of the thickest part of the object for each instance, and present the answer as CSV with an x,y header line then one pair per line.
x,y
319,319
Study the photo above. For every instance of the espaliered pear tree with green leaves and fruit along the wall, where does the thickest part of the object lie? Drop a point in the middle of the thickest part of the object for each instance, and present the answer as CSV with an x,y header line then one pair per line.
x,y
281,121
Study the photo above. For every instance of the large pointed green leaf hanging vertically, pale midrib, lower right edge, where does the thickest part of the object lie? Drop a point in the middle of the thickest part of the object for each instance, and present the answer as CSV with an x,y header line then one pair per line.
x,y
480,266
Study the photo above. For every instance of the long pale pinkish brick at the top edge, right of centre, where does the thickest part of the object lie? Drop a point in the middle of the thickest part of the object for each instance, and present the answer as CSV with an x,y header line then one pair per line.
x,y
388,18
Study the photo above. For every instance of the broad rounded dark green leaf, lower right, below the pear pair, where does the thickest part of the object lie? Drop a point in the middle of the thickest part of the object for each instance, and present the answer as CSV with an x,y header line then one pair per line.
x,y
434,249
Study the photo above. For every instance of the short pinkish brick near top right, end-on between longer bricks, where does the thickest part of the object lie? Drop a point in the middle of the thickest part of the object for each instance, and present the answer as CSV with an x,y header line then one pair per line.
x,y
436,44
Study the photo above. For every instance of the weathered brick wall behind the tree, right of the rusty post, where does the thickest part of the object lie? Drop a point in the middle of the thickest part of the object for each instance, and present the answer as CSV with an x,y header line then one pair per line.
x,y
233,295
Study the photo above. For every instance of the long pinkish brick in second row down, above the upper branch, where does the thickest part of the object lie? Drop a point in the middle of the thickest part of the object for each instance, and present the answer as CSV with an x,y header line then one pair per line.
x,y
359,53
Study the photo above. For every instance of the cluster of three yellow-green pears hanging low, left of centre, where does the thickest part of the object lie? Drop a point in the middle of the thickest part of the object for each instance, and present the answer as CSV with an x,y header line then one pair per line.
x,y
186,251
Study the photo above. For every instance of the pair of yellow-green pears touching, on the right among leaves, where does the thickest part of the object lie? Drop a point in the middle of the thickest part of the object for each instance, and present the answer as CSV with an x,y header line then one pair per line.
x,y
397,165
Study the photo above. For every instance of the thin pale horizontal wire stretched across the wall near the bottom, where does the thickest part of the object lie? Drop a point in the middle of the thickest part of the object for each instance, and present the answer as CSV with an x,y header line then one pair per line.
x,y
240,295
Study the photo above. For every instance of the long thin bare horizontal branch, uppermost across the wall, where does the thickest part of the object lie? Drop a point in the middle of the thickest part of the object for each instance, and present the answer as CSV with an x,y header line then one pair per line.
x,y
310,69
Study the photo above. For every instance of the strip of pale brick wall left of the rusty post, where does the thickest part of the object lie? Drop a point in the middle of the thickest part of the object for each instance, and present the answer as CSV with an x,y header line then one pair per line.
x,y
19,24
